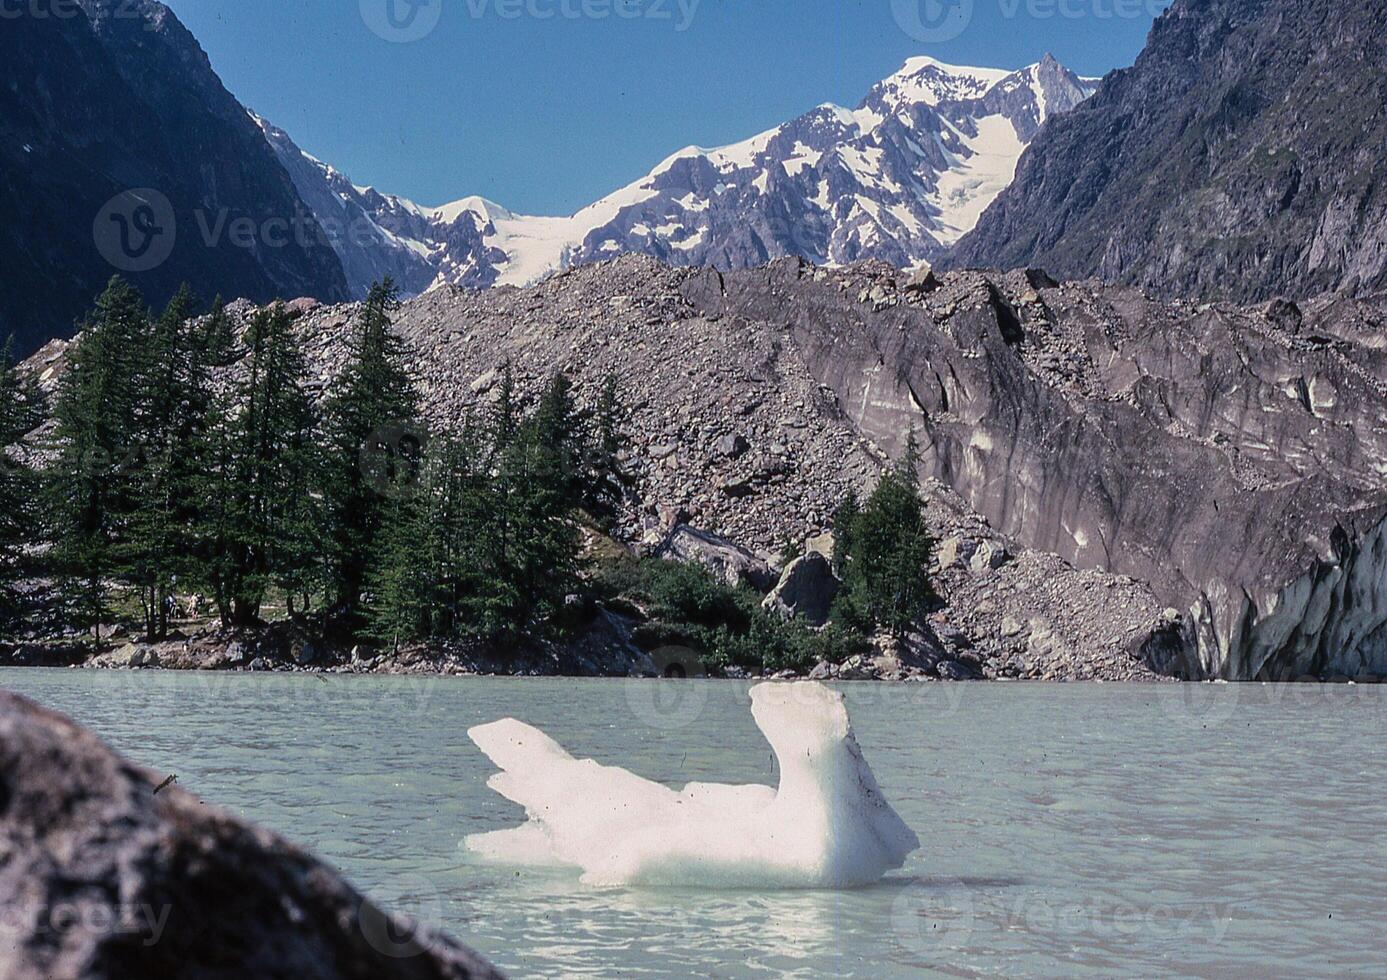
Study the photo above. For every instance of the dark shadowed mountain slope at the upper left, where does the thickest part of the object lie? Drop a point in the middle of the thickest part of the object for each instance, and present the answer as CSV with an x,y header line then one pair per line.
x,y
119,96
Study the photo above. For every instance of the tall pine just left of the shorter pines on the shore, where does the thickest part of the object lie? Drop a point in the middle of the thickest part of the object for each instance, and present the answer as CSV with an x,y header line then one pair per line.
x,y
372,425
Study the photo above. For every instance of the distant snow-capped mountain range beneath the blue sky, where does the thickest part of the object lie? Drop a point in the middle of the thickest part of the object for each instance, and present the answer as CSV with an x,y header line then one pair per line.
x,y
899,178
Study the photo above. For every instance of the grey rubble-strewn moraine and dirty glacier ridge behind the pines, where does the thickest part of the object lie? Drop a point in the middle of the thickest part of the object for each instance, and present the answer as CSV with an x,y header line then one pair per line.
x,y
1123,457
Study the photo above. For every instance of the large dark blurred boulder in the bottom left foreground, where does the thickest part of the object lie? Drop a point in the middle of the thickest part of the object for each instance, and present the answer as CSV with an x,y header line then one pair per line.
x,y
105,877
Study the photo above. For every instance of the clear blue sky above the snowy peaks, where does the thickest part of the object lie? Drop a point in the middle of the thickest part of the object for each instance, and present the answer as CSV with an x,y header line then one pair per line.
x,y
549,105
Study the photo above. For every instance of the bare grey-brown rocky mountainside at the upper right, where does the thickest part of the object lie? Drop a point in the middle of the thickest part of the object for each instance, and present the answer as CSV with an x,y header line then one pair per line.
x,y
1239,159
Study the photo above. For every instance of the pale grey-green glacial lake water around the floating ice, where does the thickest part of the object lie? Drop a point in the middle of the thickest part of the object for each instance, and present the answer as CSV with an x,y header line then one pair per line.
x,y
1067,831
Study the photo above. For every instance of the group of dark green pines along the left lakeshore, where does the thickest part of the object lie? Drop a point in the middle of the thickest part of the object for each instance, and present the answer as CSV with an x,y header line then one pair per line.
x,y
167,476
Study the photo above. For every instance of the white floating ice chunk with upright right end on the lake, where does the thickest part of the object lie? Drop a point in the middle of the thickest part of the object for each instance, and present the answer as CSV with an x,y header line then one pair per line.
x,y
826,827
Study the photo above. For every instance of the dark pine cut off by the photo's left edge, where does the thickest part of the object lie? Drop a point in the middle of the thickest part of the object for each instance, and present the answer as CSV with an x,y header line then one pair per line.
x,y
20,410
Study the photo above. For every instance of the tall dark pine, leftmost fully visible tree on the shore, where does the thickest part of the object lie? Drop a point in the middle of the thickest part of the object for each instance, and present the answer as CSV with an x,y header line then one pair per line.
x,y
91,482
